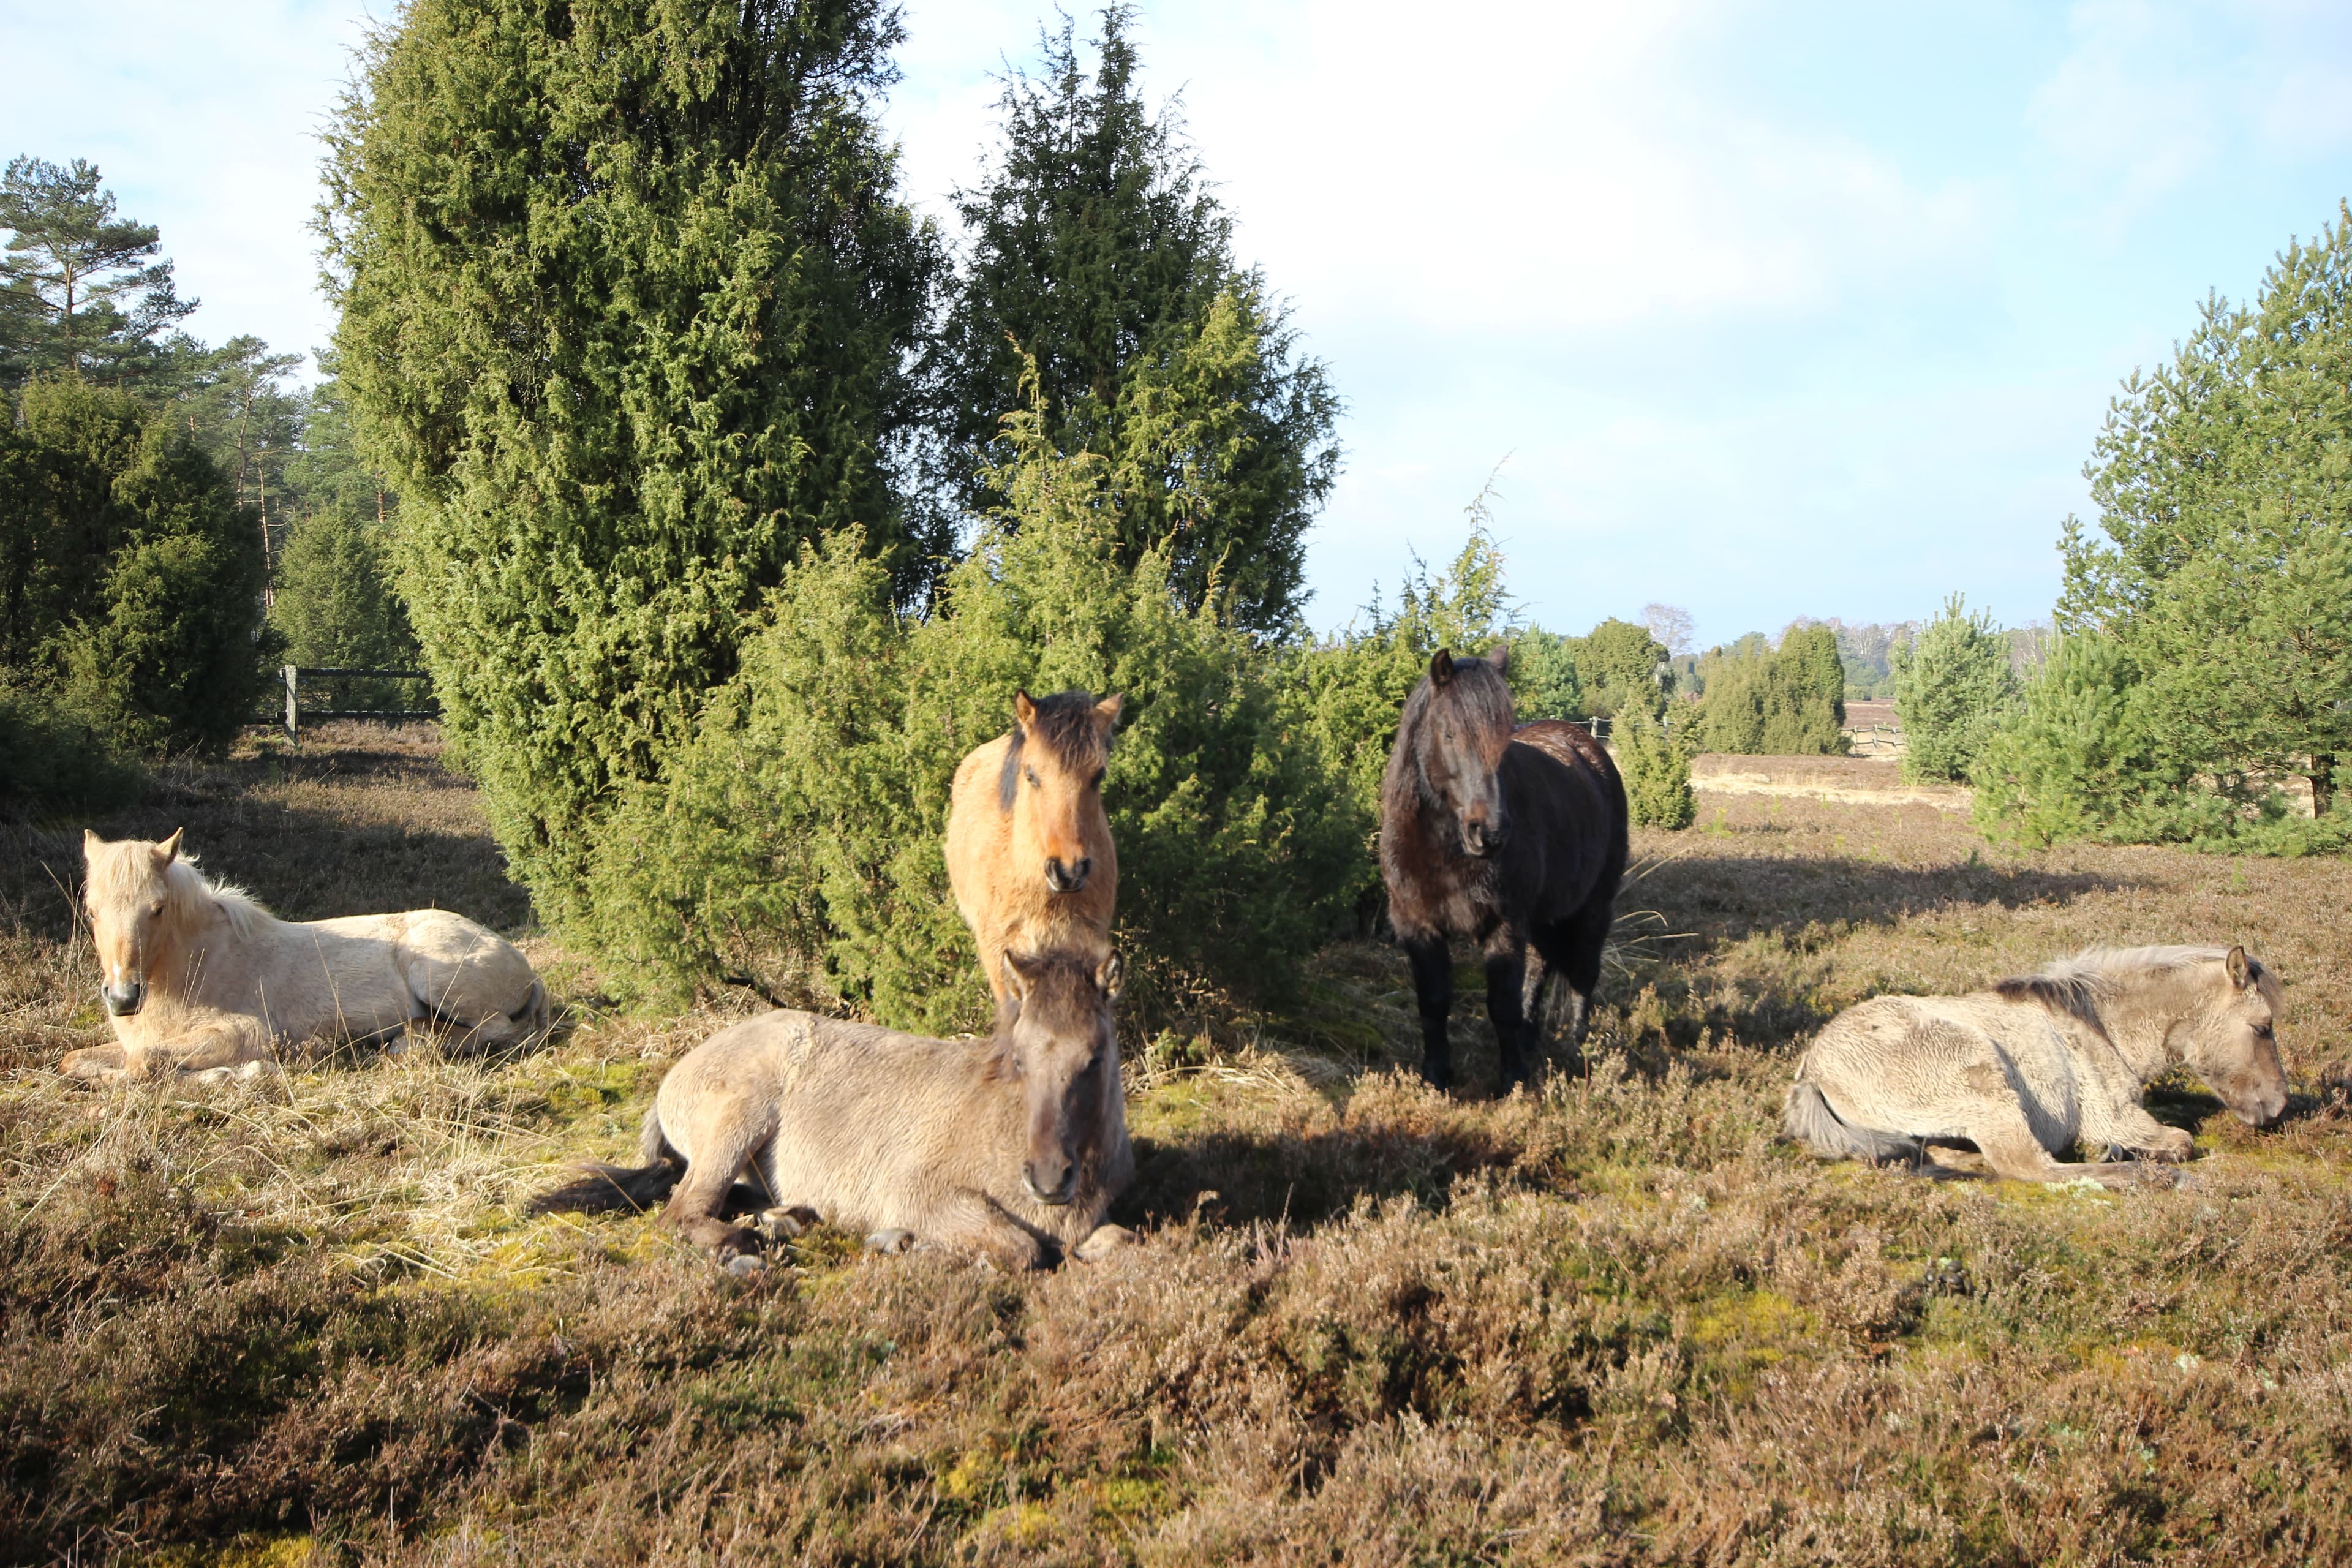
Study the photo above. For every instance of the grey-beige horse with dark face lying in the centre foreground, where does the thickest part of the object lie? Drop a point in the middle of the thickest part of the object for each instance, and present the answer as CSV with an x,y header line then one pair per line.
x,y
1010,1151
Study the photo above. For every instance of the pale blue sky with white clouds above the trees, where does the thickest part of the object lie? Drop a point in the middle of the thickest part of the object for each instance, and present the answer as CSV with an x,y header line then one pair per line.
x,y
1753,309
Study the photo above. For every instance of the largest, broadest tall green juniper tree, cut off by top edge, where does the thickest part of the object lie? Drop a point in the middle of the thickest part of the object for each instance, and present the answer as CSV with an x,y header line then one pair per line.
x,y
627,311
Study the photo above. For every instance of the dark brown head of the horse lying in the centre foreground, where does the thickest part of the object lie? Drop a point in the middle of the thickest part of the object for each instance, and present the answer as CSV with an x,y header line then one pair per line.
x,y
1067,1057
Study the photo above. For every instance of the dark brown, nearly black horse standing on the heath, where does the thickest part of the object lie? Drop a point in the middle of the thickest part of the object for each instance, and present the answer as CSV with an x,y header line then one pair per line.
x,y
1509,838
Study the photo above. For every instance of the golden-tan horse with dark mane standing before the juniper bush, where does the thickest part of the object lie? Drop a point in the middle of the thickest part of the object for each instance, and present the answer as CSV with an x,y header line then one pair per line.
x,y
1029,847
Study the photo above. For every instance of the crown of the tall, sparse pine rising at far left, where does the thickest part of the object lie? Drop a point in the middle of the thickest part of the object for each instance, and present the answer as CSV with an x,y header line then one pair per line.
x,y
81,290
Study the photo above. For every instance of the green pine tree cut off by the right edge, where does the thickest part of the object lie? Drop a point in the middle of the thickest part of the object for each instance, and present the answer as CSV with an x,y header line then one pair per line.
x,y
2226,504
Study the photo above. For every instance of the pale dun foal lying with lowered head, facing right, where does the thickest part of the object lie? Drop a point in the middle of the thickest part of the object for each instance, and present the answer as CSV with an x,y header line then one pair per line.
x,y
2036,1066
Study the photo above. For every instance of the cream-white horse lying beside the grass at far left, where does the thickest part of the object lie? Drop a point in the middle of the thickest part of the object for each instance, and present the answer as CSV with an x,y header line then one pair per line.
x,y
203,981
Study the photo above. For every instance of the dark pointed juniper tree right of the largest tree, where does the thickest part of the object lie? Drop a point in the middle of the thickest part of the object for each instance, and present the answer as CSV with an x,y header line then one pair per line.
x,y
1100,255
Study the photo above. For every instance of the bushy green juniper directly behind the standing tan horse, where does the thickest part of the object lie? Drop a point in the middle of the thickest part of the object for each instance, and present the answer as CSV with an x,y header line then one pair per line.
x,y
796,840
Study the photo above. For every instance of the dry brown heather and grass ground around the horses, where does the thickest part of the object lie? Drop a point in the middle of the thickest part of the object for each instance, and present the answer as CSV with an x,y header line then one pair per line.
x,y
1370,1325
